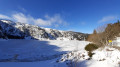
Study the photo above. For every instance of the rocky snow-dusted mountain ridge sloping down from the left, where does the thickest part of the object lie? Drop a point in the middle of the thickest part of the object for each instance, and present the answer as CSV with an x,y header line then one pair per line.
x,y
17,30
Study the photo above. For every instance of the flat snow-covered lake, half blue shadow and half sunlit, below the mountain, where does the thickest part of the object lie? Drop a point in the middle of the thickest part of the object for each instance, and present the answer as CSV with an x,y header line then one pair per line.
x,y
35,50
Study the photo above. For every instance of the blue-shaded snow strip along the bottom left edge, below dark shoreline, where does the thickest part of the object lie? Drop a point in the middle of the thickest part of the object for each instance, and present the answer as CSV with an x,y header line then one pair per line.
x,y
48,63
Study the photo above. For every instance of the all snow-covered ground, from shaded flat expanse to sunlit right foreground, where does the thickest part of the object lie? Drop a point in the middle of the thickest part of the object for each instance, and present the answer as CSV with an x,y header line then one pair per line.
x,y
55,53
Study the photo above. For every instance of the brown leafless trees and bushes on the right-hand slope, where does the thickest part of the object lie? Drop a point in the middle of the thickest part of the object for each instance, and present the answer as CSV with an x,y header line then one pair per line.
x,y
104,33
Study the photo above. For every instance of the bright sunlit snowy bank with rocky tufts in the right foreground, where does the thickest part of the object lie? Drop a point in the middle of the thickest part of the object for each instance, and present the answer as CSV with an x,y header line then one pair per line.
x,y
103,57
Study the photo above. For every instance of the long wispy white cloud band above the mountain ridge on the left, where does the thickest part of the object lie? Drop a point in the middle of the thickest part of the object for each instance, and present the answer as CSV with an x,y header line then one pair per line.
x,y
55,20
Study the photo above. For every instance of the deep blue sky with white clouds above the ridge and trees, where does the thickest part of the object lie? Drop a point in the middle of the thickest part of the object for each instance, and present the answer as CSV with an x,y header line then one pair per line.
x,y
76,15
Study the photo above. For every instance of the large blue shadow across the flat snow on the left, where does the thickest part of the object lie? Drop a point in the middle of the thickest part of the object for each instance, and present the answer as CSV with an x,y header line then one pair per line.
x,y
27,51
